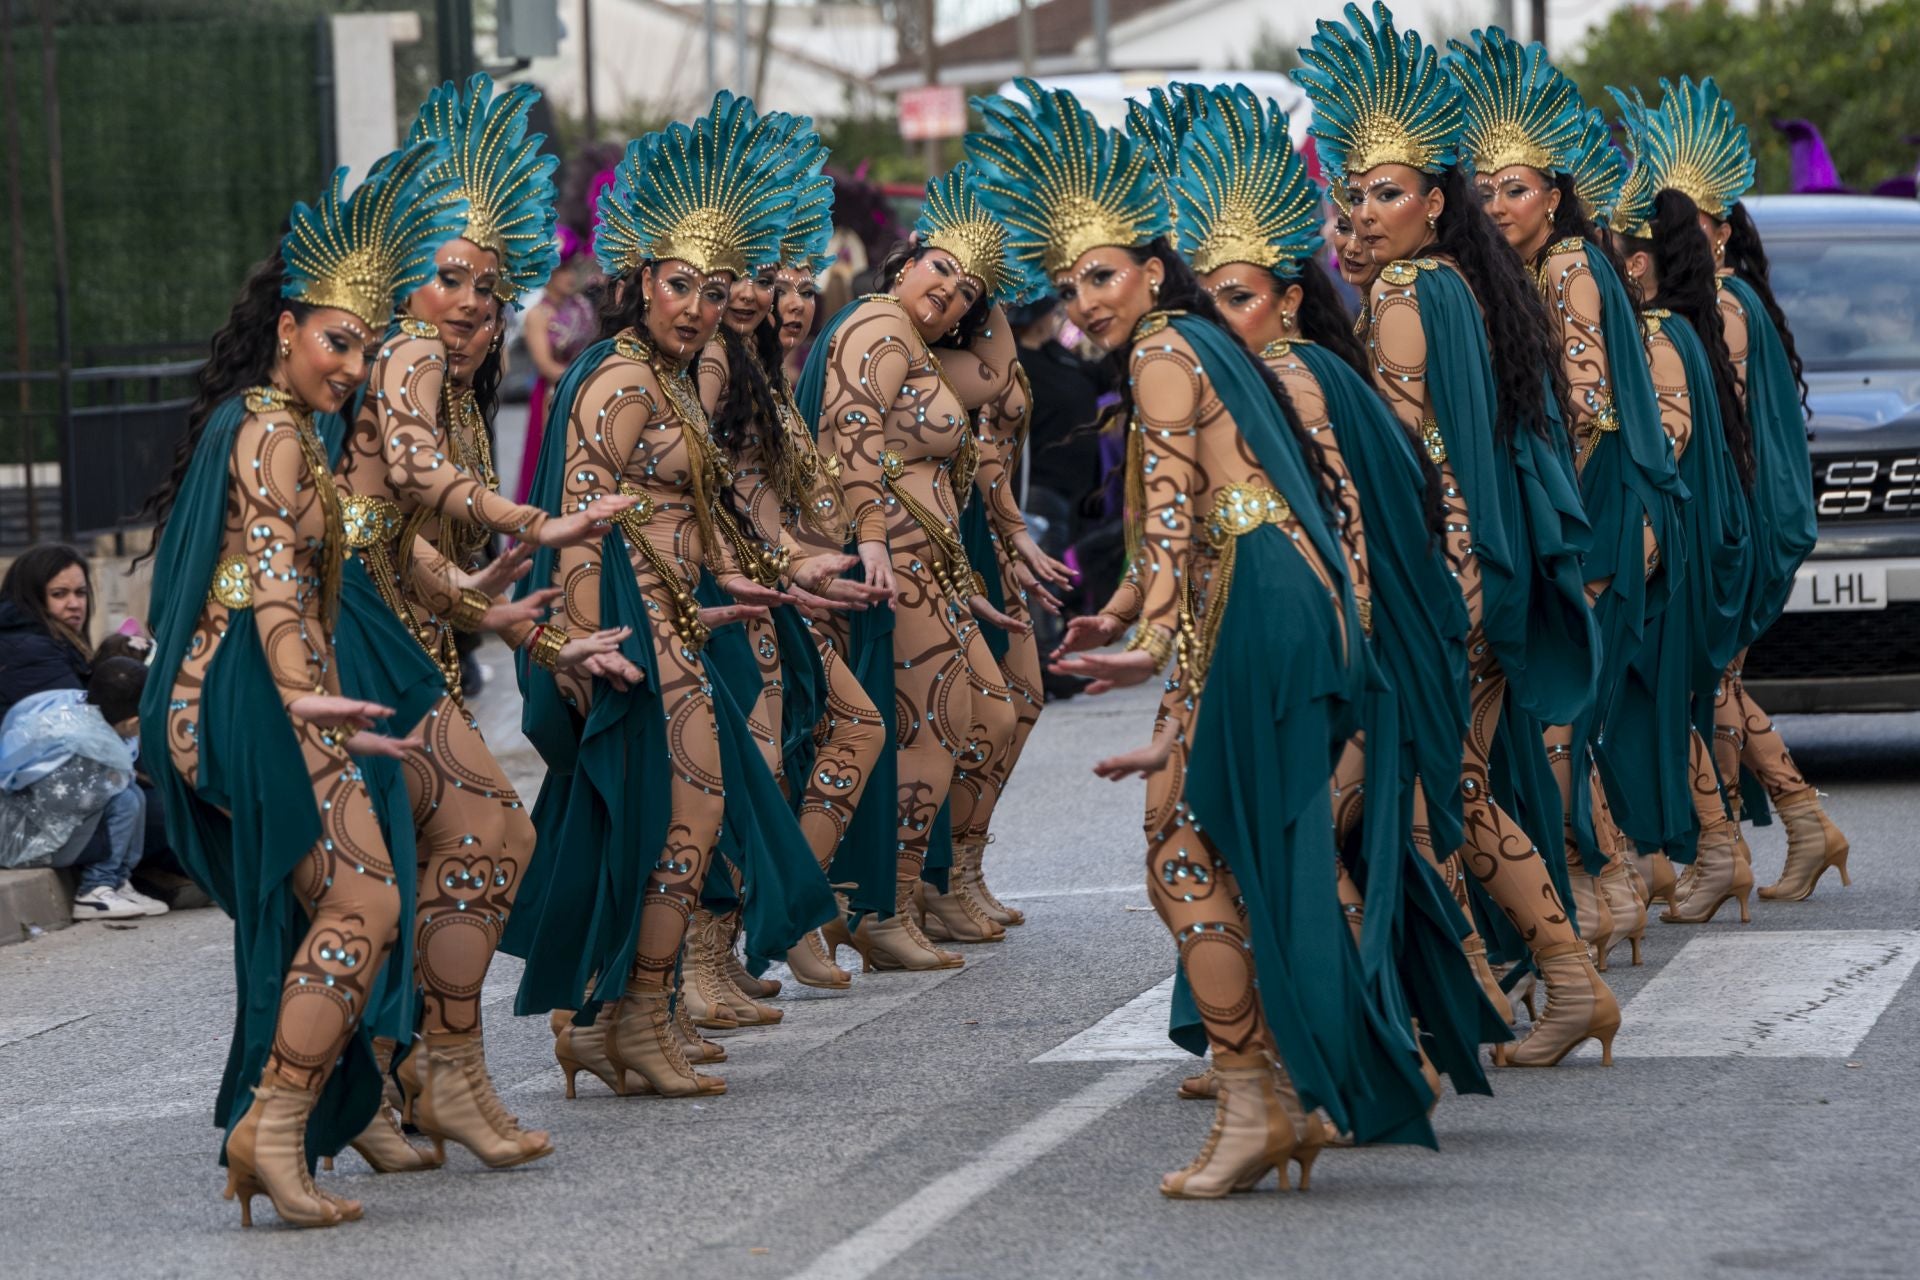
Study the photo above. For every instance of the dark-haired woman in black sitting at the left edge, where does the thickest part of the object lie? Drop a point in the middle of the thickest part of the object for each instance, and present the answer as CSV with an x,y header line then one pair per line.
x,y
47,607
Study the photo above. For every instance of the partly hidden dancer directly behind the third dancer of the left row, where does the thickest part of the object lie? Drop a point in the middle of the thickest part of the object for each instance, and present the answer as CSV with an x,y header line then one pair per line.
x,y
773,665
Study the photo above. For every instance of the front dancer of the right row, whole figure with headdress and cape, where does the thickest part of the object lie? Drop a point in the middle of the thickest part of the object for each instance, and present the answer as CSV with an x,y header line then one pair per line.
x,y
1241,575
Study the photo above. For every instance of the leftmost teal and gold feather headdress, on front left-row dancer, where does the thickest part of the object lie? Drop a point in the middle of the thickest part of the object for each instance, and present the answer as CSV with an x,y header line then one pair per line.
x,y
362,252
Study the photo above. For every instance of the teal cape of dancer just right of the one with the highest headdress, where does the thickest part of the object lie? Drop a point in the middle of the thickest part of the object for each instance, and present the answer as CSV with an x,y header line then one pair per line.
x,y
1629,486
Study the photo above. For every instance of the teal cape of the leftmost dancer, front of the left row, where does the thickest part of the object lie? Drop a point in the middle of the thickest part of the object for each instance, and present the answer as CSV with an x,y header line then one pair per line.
x,y
252,817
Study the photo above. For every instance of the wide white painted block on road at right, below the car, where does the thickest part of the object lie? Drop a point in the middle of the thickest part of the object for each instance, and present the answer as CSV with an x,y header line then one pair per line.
x,y
1769,995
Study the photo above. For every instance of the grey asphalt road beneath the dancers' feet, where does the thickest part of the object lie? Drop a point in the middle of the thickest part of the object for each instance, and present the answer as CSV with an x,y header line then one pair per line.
x,y
1764,1126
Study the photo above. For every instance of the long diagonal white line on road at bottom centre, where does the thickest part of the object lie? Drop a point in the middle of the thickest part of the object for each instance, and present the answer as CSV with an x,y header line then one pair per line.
x,y
880,1243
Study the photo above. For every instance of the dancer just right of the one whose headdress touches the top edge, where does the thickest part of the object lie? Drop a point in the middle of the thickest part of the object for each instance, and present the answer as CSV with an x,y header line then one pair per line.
x,y
1548,172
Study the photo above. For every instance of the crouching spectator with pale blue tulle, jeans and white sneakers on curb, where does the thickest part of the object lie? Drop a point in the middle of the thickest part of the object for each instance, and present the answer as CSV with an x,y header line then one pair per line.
x,y
68,795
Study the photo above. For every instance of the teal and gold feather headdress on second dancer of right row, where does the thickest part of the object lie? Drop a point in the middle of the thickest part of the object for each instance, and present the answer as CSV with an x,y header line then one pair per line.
x,y
1241,191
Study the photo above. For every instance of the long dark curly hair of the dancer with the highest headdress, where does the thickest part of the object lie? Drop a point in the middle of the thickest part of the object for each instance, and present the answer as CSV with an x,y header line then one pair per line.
x,y
1520,331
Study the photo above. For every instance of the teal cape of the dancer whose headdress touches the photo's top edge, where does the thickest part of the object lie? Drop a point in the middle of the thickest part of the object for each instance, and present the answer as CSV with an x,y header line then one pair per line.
x,y
1529,540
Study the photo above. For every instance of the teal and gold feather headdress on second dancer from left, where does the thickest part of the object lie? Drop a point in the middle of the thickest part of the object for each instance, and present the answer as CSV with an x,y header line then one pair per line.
x,y
502,174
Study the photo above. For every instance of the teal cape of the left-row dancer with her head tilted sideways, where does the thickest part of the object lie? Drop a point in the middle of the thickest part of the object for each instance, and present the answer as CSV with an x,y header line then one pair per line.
x,y
869,853
